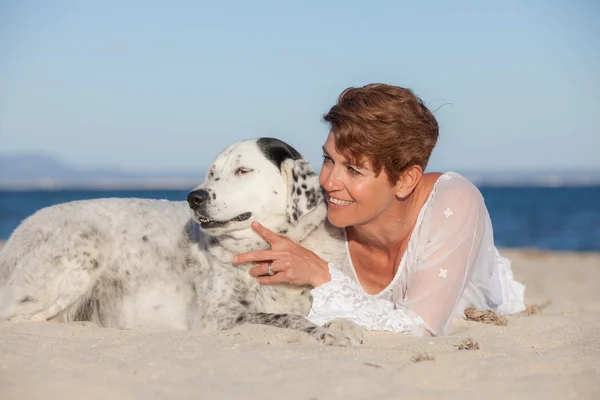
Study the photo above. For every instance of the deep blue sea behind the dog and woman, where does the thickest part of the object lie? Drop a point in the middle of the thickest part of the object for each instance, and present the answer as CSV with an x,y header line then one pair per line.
x,y
545,218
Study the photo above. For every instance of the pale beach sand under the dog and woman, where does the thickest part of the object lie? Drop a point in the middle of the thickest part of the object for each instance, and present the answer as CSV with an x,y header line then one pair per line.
x,y
554,354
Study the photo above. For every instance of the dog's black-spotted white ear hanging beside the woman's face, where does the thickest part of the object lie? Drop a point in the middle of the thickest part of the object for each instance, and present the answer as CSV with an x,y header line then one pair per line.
x,y
304,190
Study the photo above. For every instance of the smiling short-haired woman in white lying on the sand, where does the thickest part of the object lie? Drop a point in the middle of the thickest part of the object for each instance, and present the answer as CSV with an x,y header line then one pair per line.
x,y
419,247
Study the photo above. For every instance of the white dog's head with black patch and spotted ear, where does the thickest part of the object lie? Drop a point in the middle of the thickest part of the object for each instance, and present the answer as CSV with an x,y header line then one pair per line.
x,y
264,180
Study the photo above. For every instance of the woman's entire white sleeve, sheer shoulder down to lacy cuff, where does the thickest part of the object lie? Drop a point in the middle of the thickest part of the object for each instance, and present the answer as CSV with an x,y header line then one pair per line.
x,y
450,240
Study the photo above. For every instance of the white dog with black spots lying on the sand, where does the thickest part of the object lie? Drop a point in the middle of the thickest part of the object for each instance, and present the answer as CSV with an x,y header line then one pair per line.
x,y
145,264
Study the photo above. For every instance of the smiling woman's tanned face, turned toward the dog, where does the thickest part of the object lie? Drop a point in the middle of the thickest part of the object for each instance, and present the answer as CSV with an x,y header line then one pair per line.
x,y
355,196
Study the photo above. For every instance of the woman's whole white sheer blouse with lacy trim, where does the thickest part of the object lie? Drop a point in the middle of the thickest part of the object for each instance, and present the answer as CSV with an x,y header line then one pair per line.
x,y
450,264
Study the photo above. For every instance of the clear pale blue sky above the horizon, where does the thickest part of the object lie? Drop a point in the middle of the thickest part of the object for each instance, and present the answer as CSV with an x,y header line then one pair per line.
x,y
147,85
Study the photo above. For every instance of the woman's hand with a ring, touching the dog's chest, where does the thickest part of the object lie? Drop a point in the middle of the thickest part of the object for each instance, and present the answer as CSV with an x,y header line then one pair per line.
x,y
290,262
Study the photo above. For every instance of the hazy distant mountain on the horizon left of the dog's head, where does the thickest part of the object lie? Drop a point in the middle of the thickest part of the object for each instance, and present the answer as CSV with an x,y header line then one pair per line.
x,y
43,171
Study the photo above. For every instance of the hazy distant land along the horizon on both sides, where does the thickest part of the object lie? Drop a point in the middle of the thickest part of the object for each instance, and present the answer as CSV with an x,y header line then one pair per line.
x,y
24,171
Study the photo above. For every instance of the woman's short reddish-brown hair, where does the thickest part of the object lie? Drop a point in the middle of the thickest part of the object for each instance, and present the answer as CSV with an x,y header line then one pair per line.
x,y
388,125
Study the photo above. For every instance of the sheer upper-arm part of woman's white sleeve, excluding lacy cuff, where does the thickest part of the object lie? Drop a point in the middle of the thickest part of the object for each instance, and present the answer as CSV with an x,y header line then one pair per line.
x,y
455,232
